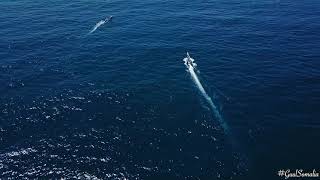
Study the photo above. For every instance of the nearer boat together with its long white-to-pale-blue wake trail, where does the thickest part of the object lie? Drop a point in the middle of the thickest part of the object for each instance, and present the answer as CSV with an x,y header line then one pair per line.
x,y
189,62
